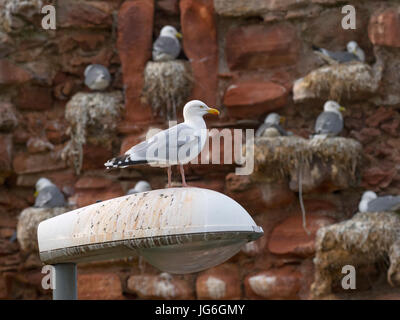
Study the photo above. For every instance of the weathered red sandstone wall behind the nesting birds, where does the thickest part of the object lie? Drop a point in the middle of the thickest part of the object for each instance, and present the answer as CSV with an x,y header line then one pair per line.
x,y
245,56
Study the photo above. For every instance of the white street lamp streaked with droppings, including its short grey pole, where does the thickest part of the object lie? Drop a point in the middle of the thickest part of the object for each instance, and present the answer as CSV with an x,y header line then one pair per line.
x,y
178,230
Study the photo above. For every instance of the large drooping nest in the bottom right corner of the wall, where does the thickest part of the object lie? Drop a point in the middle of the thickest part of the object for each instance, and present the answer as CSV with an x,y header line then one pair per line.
x,y
367,238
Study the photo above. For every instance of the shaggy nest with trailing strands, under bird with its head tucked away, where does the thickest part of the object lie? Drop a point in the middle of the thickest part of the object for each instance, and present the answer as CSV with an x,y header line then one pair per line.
x,y
93,118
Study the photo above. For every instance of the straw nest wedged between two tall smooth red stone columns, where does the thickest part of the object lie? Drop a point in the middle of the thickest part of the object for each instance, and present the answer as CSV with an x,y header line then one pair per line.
x,y
167,86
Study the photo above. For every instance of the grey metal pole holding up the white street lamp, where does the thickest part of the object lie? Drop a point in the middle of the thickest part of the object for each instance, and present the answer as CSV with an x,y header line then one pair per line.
x,y
65,282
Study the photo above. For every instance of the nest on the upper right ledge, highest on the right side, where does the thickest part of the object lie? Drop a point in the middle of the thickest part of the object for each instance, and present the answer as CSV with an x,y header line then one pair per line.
x,y
350,81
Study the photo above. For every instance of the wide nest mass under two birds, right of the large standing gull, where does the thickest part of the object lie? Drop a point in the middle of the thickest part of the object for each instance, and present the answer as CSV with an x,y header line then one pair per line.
x,y
280,157
